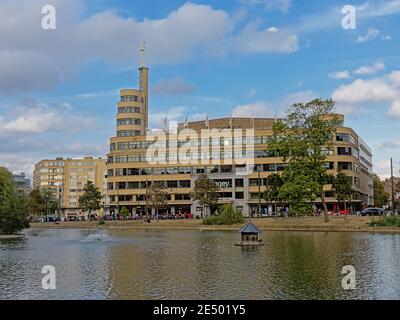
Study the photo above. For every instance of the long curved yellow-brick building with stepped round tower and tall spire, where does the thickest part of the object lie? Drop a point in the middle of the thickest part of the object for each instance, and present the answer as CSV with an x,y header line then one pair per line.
x,y
231,151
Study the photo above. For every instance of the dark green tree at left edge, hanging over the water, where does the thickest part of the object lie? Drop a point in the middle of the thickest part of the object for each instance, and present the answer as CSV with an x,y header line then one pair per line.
x,y
13,213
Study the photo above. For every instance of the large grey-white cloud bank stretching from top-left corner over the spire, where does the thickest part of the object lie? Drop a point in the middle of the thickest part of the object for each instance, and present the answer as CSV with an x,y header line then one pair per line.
x,y
34,59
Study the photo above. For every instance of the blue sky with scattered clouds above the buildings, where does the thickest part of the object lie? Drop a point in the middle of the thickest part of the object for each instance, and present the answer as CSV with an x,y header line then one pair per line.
x,y
59,88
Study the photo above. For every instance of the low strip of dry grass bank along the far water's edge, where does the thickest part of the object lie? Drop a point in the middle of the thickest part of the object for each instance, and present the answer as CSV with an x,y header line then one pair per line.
x,y
336,224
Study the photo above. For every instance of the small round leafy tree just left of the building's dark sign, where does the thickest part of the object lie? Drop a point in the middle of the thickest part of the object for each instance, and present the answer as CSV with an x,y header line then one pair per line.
x,y
206,192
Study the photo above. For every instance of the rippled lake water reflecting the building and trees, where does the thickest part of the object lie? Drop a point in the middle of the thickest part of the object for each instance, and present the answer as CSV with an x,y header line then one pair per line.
x,y
153,264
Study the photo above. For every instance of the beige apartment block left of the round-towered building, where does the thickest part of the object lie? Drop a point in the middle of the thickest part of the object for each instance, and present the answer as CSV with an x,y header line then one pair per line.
x,y
67,177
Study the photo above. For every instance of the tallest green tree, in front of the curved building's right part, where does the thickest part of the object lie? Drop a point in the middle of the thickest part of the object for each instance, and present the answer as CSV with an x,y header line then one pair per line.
x,y
302,139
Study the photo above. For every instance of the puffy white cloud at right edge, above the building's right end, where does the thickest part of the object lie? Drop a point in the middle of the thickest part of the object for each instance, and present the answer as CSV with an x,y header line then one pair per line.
x,y
362,94
